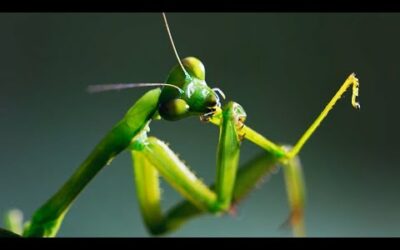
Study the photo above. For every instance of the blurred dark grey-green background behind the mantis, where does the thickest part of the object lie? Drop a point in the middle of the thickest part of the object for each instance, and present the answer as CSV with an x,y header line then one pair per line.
x,y
282,67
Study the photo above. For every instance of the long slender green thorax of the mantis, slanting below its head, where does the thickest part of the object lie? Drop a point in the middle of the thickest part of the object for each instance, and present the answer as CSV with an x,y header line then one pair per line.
x,y
47,219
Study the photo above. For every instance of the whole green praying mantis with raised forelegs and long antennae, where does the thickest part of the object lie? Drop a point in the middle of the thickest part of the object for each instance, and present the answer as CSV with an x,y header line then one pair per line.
x,y
185,93
